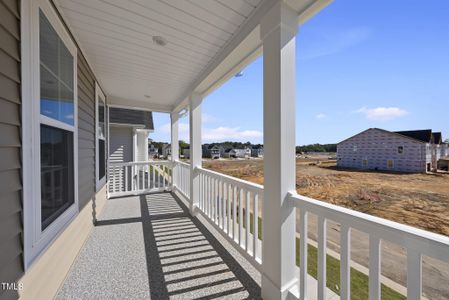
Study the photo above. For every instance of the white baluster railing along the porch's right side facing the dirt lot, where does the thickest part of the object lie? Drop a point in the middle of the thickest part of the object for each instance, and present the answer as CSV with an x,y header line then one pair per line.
x,y
232,205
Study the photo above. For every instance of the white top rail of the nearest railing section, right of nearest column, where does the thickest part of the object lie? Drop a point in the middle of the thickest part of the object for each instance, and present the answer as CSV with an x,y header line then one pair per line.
x,y
427,243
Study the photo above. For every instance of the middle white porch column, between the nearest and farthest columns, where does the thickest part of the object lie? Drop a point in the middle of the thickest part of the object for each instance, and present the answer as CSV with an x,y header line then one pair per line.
x,y
195,149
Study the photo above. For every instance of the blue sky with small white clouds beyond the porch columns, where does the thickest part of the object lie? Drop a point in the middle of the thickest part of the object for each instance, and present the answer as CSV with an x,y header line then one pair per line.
x,y
360,64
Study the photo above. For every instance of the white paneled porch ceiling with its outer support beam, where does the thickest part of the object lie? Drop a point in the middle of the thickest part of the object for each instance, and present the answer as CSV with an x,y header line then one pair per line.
x,y
117,41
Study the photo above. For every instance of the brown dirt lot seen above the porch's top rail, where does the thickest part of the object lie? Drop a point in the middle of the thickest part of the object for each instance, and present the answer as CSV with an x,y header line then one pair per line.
x,y
419,200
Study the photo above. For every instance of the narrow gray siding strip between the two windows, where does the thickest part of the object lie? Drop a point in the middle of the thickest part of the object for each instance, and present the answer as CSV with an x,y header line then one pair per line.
x,y
86,132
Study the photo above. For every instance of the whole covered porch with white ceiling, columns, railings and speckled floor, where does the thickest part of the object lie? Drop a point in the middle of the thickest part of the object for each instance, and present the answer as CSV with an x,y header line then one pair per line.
x,y
201,234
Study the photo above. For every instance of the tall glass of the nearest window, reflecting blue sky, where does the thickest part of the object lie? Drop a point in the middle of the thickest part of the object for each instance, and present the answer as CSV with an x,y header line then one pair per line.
x,y
56,123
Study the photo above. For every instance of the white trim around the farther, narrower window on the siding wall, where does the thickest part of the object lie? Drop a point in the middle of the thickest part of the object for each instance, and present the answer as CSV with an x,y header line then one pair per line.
x,y
99,183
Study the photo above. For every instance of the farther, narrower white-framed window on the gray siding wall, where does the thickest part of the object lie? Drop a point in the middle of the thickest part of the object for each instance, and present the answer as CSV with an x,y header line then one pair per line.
x,y
100,137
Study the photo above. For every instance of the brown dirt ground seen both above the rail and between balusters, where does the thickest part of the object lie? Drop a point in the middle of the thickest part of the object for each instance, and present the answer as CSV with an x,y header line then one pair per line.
x,y
419,200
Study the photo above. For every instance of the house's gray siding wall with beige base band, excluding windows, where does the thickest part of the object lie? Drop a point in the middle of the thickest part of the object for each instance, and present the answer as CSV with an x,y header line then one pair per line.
x,y
43,278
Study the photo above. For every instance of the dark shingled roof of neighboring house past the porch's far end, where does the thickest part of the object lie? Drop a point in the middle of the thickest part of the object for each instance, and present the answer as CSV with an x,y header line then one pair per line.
x,y
132,117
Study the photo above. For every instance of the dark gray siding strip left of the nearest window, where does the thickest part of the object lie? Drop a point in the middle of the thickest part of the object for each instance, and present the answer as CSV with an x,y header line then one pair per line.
x,y
11,228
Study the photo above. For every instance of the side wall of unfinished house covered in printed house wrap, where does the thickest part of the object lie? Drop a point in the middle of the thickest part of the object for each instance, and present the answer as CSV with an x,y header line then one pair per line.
x,y
377,147
